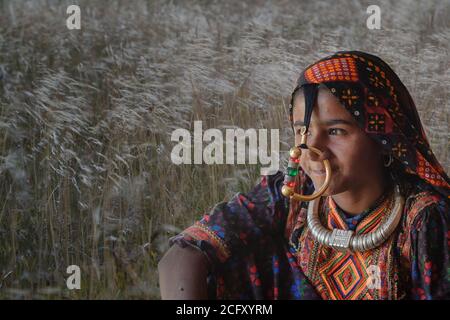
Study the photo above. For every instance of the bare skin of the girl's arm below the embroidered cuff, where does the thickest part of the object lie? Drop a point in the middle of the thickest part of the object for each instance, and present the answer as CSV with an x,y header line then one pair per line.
x,y
182,274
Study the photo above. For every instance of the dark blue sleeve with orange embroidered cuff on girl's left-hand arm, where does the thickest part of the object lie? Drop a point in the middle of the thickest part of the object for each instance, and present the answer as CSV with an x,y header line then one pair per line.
x,y
245,221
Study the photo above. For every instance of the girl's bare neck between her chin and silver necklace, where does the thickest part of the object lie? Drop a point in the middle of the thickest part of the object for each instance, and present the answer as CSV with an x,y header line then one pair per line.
x,y
355,201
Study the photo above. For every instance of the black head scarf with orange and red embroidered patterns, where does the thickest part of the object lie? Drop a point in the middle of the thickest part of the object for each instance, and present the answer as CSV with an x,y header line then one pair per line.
x,y
381,105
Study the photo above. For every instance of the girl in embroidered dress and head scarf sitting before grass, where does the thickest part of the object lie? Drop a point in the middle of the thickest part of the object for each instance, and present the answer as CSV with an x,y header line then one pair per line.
x,y
385,185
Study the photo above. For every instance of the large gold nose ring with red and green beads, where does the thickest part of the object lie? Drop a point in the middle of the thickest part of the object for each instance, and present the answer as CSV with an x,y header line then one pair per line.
x,y
289,180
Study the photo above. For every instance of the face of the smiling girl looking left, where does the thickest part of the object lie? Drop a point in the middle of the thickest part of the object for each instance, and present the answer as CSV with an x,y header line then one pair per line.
x,y
355,159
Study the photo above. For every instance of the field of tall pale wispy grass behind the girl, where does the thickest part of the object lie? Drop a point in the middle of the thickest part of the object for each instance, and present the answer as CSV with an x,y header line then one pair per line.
x,y
86,118
